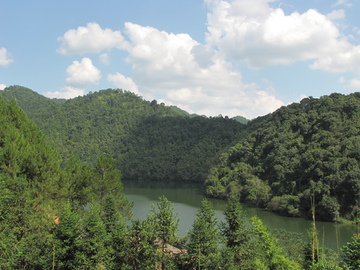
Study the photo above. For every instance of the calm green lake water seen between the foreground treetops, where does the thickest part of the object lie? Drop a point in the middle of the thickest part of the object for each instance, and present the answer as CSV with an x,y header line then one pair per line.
x,y
187,199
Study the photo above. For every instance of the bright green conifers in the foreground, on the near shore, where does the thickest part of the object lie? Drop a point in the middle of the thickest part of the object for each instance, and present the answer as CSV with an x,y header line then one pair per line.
x,y
74,216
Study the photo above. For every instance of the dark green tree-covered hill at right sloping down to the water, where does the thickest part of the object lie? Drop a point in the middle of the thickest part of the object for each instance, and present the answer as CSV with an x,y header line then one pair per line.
x,y
307,152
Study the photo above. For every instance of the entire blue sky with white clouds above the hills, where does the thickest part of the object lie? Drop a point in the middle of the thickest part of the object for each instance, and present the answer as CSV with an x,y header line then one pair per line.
x,y
211,57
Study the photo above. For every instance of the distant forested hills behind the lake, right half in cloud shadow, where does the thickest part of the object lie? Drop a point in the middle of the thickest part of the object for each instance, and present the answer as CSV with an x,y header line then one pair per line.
x,y
149,141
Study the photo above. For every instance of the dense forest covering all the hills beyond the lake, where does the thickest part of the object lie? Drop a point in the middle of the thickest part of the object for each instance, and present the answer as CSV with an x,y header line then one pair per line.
x,y
301,159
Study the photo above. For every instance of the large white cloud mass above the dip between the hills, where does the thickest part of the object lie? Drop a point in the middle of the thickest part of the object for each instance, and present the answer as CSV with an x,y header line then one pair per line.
x,y
185,73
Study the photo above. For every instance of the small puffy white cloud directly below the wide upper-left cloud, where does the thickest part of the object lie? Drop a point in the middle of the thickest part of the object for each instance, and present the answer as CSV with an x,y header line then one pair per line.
x,y
82,73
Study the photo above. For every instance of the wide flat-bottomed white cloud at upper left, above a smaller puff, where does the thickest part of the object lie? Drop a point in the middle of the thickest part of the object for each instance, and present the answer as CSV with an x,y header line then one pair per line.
x,y
91,38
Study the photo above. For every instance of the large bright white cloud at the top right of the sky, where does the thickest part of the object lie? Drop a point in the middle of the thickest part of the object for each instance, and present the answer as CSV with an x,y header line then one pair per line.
x,y
265,36
